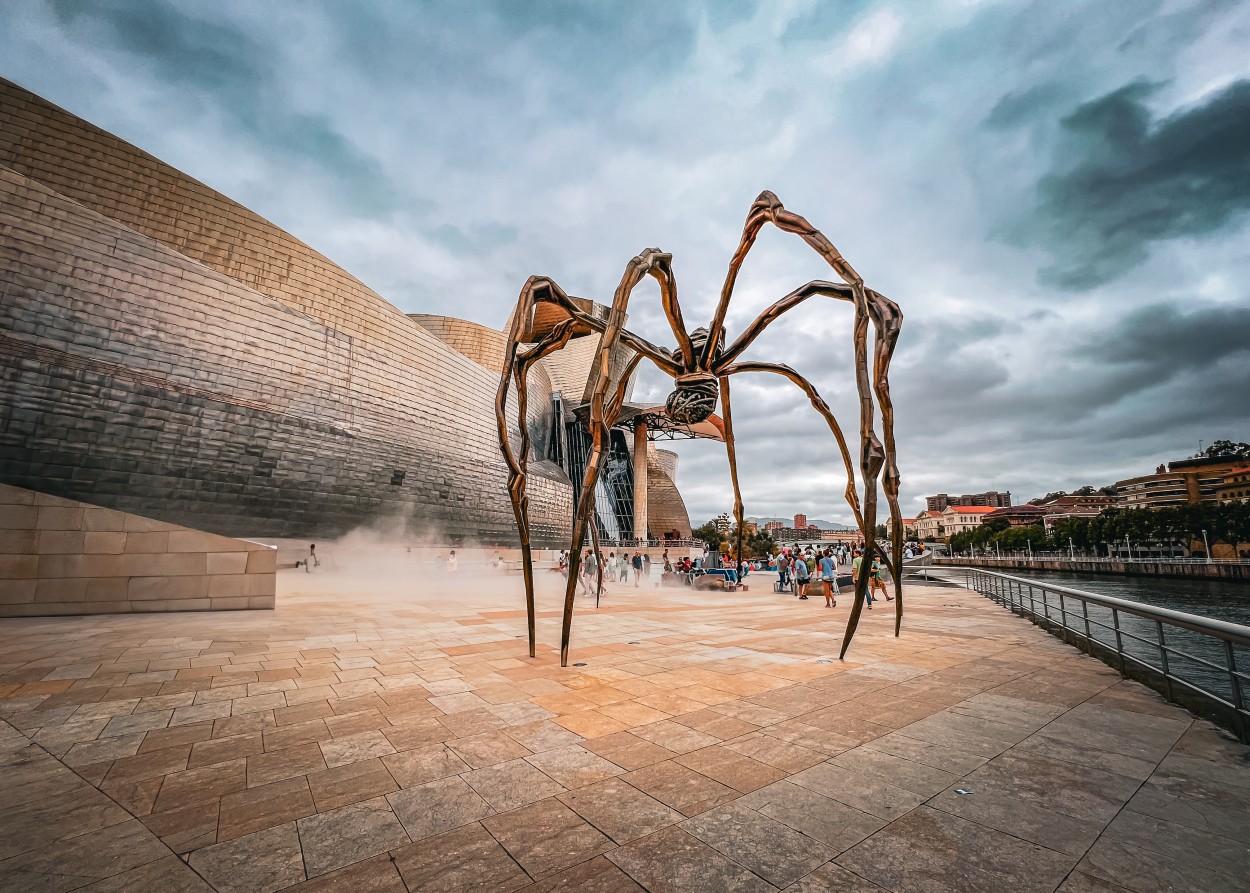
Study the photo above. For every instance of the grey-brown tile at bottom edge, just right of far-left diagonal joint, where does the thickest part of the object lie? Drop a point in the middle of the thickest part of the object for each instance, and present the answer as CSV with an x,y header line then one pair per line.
x,y
262,862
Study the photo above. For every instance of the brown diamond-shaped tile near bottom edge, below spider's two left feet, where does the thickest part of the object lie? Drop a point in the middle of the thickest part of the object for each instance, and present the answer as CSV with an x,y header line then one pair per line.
x,y
547,837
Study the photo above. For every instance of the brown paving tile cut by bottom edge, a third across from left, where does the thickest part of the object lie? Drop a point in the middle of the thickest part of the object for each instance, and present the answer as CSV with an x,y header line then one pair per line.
x,y
458,862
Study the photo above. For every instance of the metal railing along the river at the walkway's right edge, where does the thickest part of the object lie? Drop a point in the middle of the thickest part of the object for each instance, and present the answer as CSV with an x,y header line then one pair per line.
x,y
1192,661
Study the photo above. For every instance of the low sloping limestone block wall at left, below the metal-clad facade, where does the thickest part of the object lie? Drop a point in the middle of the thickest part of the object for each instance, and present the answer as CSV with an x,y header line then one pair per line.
x,y
66,557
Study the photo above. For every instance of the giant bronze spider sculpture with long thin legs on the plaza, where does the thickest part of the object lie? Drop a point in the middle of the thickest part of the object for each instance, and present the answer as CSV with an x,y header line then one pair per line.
x,y
701,367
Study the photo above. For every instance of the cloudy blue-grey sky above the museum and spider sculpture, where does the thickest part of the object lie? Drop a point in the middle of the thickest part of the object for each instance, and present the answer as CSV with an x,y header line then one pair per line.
x,y
1056,194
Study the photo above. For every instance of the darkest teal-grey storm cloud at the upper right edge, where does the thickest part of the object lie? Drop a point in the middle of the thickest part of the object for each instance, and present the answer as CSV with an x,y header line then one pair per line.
x,y
1138,181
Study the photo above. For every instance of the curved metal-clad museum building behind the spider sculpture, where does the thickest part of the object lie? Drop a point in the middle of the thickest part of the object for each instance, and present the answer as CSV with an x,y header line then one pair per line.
x,y
169,353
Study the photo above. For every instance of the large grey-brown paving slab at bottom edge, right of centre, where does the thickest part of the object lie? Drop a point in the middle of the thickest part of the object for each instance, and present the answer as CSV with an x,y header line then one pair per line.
x,y
932,851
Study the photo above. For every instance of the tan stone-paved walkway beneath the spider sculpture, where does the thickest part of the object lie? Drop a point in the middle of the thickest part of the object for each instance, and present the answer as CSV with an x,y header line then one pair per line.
x,y
392,742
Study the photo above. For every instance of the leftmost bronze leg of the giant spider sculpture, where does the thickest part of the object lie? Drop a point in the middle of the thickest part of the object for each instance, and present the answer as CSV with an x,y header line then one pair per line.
x,y
518,366
